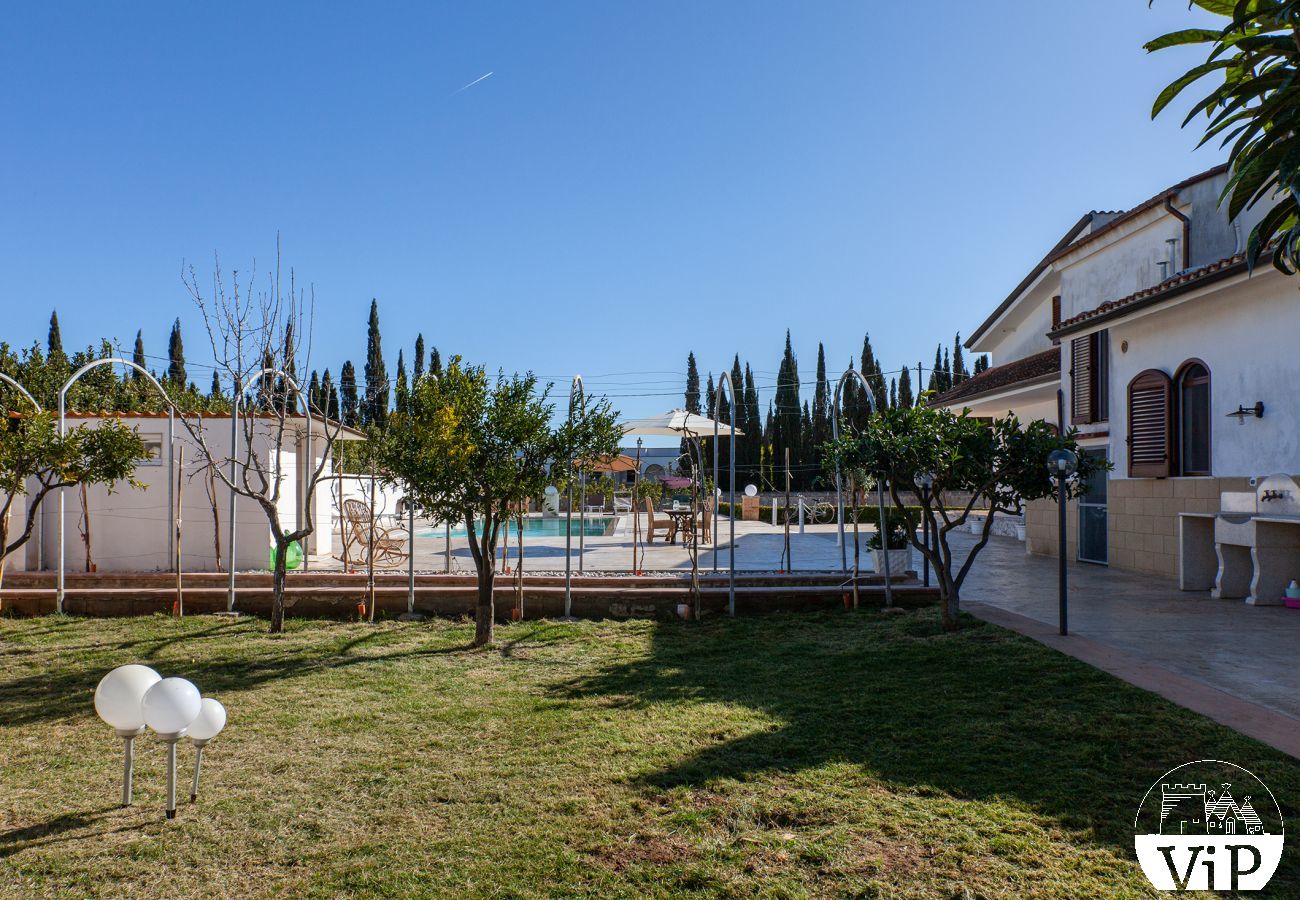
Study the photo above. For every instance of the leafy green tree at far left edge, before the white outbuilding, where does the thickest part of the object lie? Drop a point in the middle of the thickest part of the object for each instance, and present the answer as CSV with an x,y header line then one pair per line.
x,y
36,462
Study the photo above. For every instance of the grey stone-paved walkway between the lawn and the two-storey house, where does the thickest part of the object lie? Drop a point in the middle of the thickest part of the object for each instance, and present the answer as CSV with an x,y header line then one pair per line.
x,y
1234,663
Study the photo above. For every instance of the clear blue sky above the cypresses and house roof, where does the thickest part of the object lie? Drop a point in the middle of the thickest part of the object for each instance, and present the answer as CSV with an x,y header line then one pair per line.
x,y
635,181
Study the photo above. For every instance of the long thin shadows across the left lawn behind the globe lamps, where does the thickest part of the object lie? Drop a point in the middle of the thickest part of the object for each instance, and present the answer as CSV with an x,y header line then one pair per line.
x,y
68,689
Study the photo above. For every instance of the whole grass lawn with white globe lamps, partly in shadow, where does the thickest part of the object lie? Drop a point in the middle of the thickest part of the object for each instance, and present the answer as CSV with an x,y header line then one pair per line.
x,y
796,755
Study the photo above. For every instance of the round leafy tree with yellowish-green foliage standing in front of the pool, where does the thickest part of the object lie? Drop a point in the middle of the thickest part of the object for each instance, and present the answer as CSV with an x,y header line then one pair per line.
x,y
470,448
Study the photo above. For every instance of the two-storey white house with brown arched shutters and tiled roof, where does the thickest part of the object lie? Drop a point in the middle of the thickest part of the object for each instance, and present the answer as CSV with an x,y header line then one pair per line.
x,y
1164,348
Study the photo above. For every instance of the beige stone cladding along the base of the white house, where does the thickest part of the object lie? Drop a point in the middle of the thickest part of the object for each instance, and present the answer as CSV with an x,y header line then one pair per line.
x,y
1142,521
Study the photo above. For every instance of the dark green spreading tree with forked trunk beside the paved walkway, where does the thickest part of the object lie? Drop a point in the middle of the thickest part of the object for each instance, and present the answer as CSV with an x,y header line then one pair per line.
x,y
973,464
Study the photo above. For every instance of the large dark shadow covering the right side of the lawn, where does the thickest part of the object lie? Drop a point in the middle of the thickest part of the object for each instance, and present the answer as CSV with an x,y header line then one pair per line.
x,y
981,716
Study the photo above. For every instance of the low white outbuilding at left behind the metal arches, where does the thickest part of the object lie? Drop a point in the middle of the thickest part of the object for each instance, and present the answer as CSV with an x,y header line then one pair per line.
x,y
131,530
